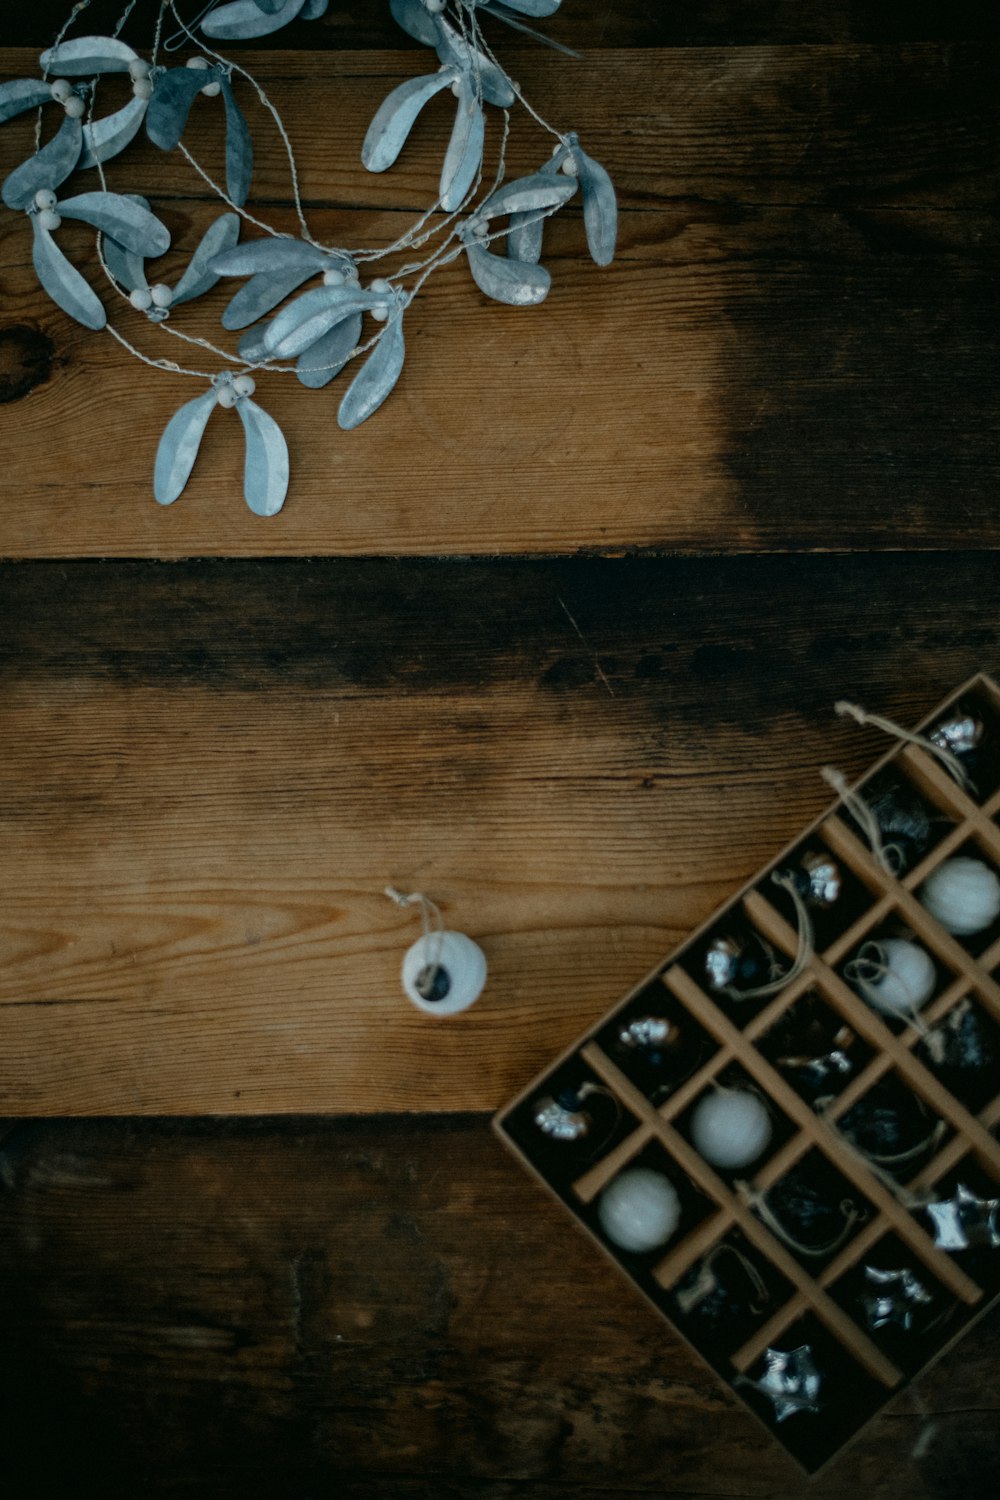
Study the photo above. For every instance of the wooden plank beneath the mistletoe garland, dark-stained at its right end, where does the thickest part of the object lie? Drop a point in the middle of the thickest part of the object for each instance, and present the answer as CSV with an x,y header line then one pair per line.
x,y
732,383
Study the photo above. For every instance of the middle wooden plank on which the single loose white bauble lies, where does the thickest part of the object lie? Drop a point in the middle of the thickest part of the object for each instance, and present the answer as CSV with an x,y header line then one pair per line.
x,y
212,772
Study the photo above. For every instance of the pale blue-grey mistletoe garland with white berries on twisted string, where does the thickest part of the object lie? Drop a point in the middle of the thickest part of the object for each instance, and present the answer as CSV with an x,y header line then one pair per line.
x,y
500,230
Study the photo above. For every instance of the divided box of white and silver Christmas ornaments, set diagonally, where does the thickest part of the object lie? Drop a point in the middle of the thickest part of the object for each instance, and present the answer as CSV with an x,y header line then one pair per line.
x,y
830,1220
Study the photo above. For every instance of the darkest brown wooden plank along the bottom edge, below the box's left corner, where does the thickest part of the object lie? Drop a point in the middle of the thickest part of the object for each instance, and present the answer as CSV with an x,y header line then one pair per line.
x,y
382,1312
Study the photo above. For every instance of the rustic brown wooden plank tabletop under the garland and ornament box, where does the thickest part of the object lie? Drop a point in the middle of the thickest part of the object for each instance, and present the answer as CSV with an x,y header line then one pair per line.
x,y
555,638
